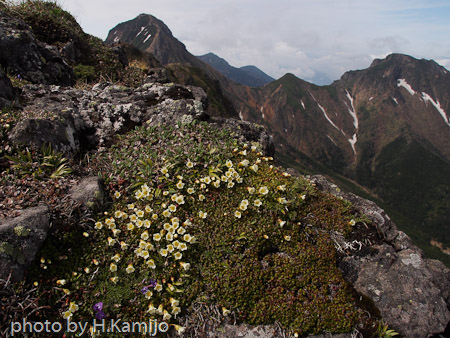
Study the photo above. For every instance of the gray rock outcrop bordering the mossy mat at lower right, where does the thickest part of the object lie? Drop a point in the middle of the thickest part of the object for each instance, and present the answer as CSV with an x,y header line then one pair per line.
x,y
410,291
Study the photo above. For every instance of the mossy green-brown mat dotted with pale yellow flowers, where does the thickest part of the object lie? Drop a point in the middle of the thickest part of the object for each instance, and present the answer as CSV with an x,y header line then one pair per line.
x,y
208,220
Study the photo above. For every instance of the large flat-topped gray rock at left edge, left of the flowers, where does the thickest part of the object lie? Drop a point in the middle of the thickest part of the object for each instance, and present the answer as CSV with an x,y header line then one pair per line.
x,y
20,239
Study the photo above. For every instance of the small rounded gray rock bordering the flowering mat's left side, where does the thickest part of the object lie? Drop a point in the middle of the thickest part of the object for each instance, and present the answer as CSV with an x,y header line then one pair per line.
x,y
89,193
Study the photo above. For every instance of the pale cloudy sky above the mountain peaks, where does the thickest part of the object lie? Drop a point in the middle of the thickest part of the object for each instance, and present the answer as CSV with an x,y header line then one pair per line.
x,y
317,40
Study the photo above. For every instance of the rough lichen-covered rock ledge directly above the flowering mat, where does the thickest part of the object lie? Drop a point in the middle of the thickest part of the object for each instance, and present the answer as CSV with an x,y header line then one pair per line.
x,y
86,119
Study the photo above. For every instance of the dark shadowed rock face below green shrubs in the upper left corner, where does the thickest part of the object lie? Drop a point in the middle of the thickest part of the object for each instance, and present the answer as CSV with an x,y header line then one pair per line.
x,y
21,53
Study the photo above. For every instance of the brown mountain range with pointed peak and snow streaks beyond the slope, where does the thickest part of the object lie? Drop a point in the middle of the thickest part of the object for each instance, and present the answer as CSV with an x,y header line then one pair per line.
x,y
383,131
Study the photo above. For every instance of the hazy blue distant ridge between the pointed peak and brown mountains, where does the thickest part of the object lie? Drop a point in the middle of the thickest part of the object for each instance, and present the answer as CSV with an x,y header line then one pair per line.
x,y
248,75
